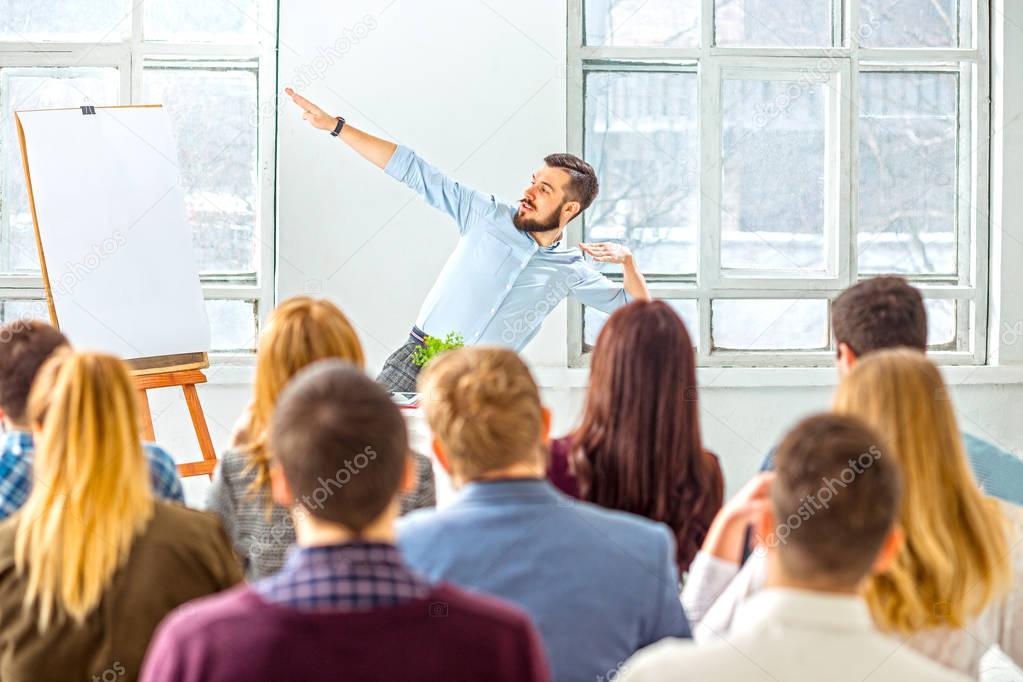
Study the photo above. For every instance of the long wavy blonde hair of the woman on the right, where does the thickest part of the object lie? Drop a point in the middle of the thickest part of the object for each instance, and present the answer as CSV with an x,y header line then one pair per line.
x,y
956,559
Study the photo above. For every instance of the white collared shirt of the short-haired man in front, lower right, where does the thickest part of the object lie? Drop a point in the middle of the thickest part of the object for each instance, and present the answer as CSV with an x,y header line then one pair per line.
x,y
783,635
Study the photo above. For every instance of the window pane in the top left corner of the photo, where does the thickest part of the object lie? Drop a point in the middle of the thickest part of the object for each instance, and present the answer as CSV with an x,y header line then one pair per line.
x,y
84,21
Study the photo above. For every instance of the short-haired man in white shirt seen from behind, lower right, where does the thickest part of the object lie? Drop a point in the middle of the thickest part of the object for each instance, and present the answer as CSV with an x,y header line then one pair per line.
x,y
810,623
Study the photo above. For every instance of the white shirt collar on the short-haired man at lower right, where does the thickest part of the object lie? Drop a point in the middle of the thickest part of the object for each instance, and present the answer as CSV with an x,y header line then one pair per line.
x,y
806,610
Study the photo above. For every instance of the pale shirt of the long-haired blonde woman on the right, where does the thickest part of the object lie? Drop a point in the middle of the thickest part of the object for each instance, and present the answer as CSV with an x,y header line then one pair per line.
x,y
716,592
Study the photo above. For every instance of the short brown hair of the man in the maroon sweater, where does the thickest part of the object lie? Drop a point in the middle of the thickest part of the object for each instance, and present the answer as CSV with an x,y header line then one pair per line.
x,y
341,442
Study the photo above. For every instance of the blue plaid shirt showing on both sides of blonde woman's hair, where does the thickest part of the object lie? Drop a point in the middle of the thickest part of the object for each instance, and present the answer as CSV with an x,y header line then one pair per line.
x,y
16,473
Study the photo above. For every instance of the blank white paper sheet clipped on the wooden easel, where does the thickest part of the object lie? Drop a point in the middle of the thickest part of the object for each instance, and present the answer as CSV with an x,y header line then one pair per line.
x,y
112,220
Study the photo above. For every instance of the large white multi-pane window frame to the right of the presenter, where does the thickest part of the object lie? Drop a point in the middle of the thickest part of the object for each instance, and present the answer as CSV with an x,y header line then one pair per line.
x,y
842,66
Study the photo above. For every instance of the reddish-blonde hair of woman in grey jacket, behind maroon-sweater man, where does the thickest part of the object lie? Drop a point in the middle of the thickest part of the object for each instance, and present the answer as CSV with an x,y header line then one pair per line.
x,y
300,332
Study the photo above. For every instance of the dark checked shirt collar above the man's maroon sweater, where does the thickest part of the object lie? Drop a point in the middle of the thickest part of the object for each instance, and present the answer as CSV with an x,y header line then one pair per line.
x,y
343,578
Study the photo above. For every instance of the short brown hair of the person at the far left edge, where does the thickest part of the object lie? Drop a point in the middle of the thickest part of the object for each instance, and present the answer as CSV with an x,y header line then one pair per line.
x,y
25,346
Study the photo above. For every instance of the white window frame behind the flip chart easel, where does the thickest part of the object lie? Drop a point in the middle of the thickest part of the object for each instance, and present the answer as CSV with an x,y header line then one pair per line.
x,y
129,57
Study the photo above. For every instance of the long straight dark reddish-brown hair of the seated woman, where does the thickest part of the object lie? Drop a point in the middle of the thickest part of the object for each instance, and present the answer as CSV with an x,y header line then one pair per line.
x,y
639,447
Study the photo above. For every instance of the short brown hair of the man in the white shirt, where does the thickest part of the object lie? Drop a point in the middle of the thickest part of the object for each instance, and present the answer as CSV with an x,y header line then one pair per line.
x,y
836,496
